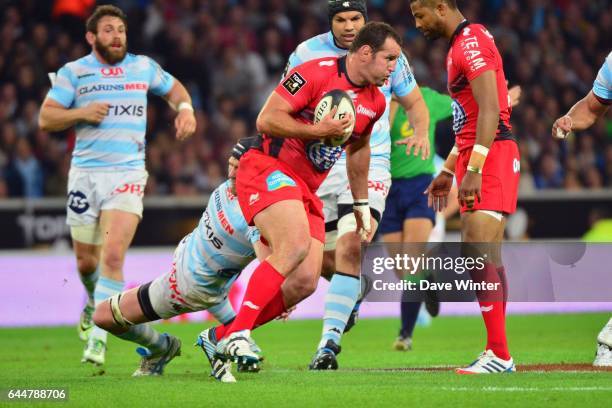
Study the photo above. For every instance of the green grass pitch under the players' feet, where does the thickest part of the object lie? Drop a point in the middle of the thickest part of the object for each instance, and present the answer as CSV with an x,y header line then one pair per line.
x,y
370,374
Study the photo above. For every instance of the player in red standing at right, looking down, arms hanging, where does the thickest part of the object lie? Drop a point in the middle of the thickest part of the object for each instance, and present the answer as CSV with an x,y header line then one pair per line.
x,y
485,158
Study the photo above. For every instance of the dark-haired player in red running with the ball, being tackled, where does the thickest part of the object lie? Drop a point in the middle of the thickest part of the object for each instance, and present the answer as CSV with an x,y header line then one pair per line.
x,y
277,183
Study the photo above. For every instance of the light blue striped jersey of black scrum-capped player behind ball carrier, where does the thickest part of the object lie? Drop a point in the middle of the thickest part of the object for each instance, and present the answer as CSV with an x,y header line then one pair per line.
x,y
401,83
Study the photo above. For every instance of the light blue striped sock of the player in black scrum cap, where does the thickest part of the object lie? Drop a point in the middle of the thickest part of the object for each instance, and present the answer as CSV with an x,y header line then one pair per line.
x,y
340,300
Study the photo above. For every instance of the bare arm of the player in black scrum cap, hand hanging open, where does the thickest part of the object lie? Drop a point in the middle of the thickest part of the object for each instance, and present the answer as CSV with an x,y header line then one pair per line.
x,y
418,114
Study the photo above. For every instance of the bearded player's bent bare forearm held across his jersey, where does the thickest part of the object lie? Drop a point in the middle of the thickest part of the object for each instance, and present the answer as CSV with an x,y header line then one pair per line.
x,y
54,117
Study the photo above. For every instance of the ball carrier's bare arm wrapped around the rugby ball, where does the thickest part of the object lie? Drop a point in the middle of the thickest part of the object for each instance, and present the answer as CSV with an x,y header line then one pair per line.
x,y
275,119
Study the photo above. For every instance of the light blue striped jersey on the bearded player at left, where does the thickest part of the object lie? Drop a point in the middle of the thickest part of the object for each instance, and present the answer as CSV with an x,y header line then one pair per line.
x,y
118,142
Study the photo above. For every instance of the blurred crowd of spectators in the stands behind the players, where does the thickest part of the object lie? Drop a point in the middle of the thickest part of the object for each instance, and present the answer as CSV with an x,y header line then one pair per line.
x,y
231,53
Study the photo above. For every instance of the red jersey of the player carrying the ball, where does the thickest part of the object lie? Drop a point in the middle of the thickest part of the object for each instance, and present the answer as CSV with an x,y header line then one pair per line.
x,y
303,88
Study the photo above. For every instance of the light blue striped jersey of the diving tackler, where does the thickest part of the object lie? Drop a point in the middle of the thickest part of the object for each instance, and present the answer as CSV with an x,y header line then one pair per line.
x,y
221,245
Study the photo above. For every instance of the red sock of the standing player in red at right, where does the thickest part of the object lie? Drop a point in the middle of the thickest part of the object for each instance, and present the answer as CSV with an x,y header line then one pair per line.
x,y
493,312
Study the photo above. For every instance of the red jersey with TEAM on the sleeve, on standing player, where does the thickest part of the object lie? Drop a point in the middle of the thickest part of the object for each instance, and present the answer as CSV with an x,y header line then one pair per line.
x,y
472,52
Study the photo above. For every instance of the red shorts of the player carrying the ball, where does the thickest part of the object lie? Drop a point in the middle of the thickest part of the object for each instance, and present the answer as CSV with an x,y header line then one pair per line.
x,y
263,180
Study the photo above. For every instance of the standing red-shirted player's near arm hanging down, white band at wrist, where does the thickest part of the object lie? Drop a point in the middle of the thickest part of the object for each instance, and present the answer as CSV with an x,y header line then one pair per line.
x,y
484,89
